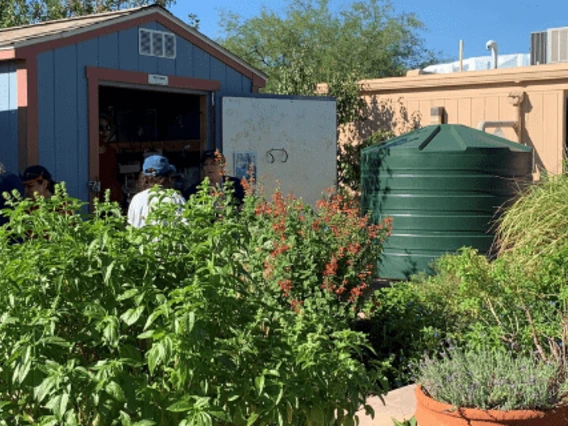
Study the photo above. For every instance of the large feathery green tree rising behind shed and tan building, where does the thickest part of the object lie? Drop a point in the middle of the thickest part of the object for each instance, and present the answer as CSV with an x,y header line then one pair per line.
x,y
368,39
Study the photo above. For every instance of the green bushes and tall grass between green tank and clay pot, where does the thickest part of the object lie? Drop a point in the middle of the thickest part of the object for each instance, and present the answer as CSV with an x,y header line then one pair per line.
x,y
517,302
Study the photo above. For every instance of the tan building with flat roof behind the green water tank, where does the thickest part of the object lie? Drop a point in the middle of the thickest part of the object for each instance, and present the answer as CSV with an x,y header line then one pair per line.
x,y
526,105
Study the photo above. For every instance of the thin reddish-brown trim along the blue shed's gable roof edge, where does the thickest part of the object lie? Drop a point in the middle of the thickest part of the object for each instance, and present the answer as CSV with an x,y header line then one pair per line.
x,y
139,13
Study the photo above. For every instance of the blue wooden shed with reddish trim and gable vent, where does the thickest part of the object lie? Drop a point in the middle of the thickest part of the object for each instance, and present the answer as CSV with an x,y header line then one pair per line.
x,y
158,78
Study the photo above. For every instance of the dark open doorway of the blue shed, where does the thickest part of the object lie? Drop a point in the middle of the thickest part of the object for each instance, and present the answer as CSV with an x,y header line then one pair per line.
x,y
146,122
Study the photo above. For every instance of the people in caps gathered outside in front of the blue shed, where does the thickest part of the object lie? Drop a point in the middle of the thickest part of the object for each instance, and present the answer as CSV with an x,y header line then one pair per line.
x,y
37,181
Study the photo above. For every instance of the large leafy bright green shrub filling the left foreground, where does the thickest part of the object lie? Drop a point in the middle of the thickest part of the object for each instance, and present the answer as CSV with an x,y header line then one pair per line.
x,y
175,323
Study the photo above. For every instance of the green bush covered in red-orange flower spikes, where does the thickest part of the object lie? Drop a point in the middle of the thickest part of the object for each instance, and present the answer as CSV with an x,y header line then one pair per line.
x,y
314,255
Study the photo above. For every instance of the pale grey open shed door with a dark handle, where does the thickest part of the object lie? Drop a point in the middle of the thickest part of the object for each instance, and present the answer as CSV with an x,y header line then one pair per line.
x,y
305,129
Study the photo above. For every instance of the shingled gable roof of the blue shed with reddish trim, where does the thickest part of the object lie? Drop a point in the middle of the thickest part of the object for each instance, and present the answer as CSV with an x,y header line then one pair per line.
x,y
27,35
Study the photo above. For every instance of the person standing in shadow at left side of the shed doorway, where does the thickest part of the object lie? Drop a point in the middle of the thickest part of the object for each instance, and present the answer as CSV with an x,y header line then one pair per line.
x,y
108,164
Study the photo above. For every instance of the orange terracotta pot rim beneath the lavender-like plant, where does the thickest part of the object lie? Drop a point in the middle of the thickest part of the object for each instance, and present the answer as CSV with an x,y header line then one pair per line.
x,y
480,414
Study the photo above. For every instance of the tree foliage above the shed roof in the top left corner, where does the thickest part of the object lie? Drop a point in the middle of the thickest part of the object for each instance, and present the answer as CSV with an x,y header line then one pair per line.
x,y
24,12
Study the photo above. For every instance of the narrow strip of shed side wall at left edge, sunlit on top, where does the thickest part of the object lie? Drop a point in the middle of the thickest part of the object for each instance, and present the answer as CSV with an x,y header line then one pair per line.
x,y
9,116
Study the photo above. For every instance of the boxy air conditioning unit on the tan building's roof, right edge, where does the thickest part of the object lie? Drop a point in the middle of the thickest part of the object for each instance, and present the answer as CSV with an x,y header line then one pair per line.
x,y
550,46
